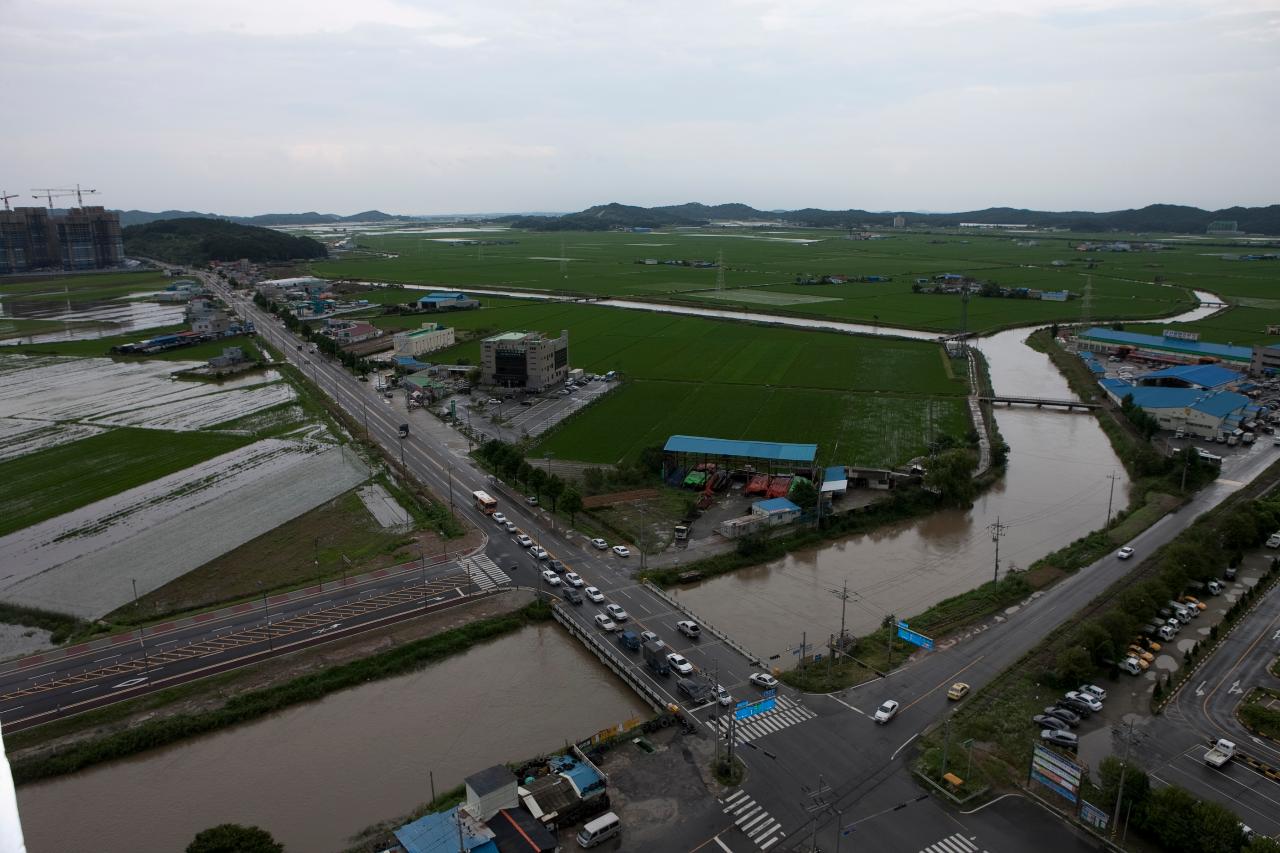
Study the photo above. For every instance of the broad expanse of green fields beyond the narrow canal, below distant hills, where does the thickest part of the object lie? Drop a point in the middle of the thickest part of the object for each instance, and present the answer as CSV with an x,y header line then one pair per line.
x,y
761,273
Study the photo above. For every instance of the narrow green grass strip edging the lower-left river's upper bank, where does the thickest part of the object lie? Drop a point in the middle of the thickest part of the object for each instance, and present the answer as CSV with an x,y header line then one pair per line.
x,y
257,704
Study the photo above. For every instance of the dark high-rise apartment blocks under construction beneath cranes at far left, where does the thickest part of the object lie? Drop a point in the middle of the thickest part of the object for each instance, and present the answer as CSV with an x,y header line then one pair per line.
x,y
33,240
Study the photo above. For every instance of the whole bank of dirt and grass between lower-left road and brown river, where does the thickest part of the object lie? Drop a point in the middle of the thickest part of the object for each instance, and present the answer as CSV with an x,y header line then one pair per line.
x,y
241,696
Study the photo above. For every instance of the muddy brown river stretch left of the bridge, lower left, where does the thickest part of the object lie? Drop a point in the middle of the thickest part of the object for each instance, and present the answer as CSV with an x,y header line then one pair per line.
x,y
318,774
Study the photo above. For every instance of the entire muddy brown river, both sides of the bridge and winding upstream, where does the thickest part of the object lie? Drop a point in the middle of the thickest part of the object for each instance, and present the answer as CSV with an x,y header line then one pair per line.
x,y
317,774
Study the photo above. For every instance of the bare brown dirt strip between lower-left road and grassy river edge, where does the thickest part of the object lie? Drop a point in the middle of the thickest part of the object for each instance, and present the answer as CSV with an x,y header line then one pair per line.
x,y
218,691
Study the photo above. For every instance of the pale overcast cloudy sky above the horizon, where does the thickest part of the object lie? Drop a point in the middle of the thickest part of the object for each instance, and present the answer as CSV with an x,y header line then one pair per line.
x,y
246,107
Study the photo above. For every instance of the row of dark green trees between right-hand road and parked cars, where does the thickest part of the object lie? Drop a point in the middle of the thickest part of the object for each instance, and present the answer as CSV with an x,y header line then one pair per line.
x,y
1197,555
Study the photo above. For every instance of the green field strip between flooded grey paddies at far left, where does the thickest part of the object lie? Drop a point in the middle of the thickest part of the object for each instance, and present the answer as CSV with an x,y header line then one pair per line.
x,y
60,480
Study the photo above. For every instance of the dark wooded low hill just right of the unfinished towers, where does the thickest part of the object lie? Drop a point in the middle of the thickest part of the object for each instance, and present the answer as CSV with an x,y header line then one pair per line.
x,y
196,240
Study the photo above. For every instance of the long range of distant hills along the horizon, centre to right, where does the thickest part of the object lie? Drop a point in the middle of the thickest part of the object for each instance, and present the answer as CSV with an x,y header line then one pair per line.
x,y
1153,218
